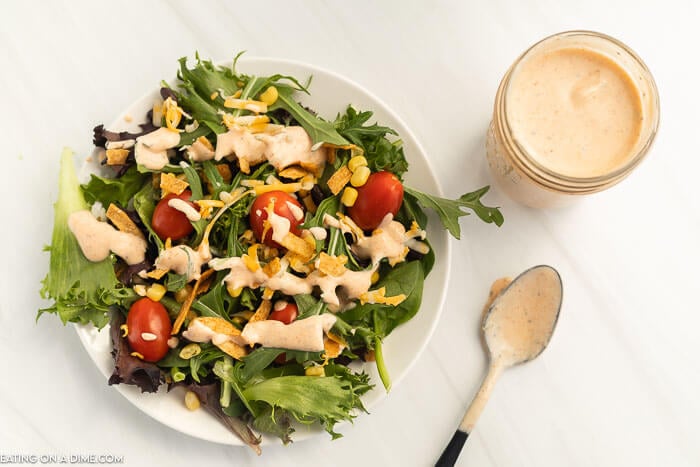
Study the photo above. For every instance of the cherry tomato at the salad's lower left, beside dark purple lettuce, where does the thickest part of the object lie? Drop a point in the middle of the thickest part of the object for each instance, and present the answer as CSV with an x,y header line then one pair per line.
x,y
149,329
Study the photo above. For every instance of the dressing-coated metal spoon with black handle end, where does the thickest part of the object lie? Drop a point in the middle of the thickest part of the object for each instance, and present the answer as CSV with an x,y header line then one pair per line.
x,y
517,328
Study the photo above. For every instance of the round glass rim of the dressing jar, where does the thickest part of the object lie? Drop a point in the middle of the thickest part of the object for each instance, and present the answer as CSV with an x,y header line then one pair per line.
x,y
564,182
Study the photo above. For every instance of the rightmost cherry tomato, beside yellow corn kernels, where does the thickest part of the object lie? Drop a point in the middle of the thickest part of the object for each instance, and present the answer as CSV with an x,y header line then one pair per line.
x,y
380,195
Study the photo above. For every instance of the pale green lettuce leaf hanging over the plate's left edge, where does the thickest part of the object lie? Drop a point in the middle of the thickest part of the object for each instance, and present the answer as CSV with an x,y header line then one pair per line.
x,y
83,291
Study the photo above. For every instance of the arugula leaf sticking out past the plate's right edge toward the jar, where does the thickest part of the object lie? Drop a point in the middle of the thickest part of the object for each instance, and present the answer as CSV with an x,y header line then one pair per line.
x,y
450,211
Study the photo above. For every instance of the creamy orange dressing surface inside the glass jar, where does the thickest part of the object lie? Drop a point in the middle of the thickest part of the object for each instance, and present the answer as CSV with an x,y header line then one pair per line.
x,y
575,110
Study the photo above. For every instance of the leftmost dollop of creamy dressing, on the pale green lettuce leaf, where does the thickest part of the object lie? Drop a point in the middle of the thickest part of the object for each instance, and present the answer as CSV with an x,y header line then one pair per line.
x,y
97,239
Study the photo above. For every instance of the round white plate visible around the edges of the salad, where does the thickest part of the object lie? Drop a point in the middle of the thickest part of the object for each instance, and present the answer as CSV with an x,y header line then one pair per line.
x,y
330,95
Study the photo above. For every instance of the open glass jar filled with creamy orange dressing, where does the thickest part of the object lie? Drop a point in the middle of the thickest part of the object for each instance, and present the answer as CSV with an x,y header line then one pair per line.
x,y
574,115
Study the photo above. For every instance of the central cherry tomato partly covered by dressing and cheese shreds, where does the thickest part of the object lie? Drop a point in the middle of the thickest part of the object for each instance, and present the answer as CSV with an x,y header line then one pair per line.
x,y
281,201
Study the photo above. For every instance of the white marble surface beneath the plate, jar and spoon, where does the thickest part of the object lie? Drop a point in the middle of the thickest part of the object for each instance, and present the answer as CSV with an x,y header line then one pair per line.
x,y
620,382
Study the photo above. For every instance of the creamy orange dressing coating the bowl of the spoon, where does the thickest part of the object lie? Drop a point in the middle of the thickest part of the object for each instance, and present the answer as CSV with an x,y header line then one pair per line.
x,y
522,318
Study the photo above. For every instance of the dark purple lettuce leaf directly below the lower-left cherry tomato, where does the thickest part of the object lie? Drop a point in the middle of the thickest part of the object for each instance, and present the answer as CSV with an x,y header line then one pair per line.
x,y
128,369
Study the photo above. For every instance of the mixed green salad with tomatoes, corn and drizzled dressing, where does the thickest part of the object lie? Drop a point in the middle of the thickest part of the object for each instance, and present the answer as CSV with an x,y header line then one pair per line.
x,y
247,249
